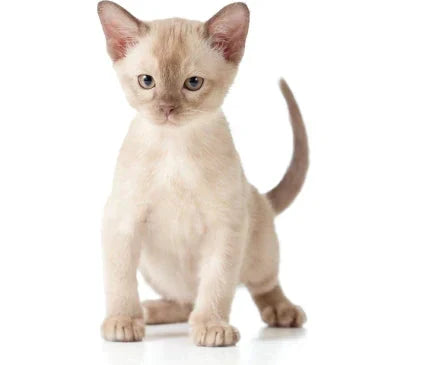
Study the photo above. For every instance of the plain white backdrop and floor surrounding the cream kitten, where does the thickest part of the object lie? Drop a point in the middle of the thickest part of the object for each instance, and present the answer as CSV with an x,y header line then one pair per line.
x,y
356,244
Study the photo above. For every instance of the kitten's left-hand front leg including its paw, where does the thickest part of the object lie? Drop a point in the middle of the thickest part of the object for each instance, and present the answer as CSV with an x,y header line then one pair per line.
x,y
121,248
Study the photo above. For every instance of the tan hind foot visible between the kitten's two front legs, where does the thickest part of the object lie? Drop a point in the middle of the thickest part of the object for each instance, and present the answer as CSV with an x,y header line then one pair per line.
x,y
161,311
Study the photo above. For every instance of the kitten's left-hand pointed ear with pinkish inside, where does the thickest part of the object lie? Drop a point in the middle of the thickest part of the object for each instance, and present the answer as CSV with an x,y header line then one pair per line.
x,y
121,28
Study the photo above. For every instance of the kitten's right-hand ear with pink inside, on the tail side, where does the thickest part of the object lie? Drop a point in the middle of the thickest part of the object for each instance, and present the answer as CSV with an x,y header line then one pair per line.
x,y
228,29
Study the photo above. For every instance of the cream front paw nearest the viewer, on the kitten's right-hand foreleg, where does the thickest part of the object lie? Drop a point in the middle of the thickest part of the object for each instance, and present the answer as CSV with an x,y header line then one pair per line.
x,y
215,333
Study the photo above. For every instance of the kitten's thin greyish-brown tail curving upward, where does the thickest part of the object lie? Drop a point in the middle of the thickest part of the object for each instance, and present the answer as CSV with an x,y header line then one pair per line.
x,y
285,192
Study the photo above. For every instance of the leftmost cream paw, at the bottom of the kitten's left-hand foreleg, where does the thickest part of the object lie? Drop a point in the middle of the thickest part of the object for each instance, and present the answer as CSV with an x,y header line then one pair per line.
x,y
123,329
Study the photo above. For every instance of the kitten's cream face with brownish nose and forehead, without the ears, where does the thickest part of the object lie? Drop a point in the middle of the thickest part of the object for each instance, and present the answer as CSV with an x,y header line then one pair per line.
x,y
173,67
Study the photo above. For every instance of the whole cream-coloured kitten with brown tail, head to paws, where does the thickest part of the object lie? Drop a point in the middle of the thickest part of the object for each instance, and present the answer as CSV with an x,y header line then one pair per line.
x,y
181,210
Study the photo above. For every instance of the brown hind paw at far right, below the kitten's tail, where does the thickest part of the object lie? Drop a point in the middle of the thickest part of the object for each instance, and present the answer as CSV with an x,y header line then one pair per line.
x,y
283,314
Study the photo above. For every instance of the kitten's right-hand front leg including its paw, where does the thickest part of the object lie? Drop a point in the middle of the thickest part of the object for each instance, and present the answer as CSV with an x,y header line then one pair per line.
x,y
220,266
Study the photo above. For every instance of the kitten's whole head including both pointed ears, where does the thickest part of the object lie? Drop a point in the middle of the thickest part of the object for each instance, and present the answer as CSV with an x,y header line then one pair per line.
x,y
175,70
